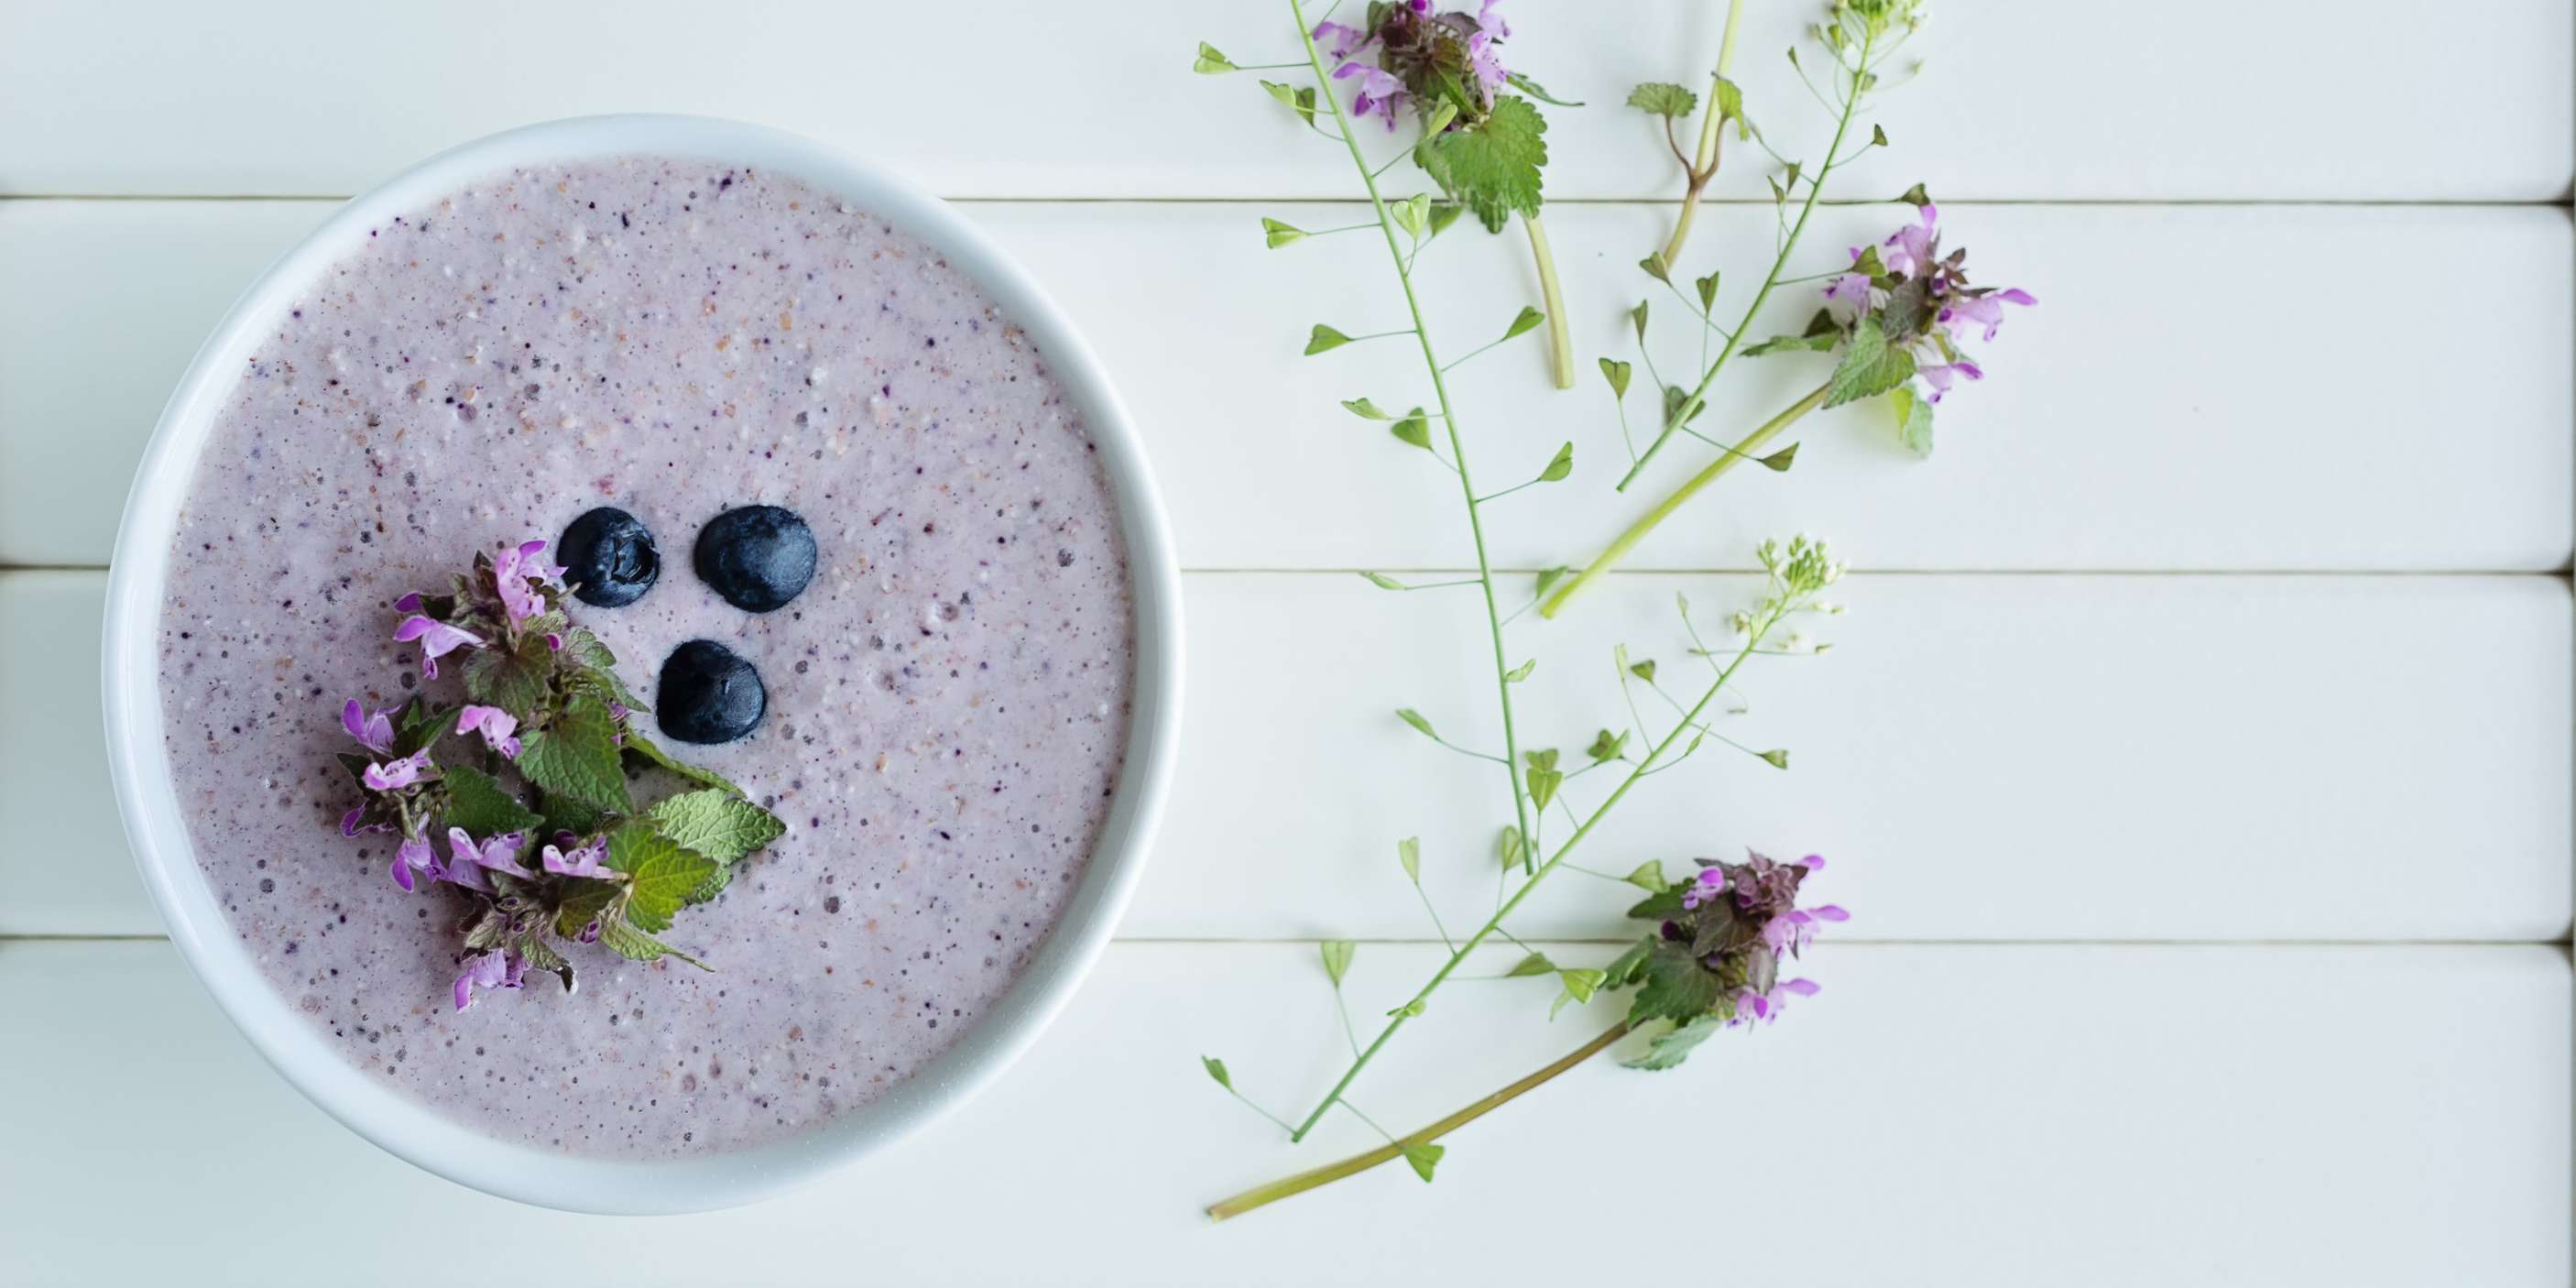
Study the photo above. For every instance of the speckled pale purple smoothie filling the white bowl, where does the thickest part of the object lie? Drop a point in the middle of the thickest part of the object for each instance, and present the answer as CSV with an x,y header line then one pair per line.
x,y
949,697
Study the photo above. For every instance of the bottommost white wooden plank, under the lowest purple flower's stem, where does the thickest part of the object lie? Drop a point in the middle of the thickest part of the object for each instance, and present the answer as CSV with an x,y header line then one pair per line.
x,y
1938,1117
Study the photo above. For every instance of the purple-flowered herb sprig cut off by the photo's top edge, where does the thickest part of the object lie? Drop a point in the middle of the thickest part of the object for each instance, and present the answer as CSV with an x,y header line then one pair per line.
x,y
1485,148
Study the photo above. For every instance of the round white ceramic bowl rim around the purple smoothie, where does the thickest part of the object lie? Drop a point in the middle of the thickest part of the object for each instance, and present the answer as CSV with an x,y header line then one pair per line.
x,y
290,1042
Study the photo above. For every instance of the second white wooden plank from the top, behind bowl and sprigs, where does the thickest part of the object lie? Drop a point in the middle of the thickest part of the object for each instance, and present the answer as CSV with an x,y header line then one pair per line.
x,y
2134,421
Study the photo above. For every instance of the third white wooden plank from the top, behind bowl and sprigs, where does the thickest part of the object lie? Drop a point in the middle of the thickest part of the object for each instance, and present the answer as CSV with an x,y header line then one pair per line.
x,y
2106,759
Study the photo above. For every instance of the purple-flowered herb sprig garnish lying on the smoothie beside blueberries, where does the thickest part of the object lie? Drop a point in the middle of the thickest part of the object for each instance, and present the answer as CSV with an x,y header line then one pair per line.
x,y
527,787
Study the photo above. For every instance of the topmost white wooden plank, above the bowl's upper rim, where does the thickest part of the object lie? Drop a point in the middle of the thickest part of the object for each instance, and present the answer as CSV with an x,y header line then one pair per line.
x,y
2206,99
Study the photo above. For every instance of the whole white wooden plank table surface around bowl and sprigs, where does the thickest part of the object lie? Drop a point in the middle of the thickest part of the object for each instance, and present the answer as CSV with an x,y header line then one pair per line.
x,y
2196,756
